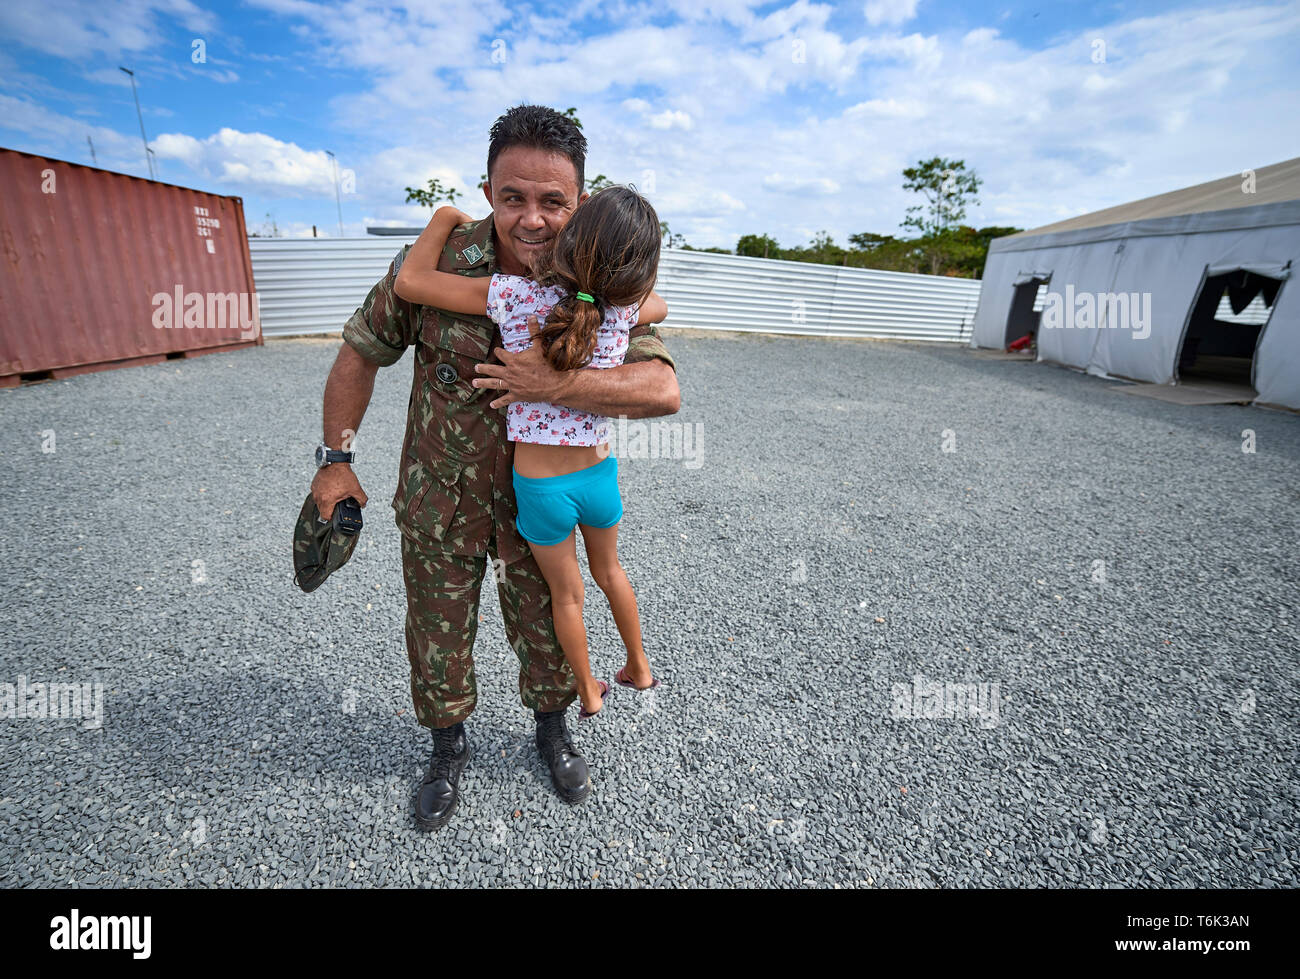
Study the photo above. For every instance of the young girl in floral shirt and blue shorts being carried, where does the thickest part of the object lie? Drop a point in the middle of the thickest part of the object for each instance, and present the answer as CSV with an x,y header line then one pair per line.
x,y
588,292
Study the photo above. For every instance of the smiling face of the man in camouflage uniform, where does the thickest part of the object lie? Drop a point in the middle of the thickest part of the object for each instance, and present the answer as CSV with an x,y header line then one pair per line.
x,y
532,194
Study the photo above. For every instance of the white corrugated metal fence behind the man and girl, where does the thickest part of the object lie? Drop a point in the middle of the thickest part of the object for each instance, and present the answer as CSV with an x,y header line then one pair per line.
x,y
313,285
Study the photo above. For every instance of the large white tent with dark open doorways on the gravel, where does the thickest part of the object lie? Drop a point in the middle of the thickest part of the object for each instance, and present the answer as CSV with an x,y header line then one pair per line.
x,y
1159,291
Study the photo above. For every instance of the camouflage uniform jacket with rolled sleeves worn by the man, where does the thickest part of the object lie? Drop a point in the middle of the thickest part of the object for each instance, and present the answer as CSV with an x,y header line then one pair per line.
x,y
456,488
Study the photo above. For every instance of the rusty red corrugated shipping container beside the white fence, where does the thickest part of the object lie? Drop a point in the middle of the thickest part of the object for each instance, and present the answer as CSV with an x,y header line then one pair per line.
x,y
102,271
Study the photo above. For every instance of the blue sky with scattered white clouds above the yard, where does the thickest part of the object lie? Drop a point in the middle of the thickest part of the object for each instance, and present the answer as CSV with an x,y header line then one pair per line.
x,y
735,118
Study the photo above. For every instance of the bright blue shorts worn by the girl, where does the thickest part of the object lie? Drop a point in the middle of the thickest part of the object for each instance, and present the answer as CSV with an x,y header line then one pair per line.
x,y
551,508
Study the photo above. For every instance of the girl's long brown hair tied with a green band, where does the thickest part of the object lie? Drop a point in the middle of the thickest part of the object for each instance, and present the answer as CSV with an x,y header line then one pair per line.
x,y
609,250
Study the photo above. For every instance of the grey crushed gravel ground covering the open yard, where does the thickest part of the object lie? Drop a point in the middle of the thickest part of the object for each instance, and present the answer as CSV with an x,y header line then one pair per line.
x,y
1117,568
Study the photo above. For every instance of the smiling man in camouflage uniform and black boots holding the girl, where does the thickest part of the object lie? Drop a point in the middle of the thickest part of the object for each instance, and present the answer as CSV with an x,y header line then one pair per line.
x,y
456,501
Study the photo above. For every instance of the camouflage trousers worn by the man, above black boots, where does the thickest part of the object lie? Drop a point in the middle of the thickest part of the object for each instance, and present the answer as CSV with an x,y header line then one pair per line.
x,y
443,621
